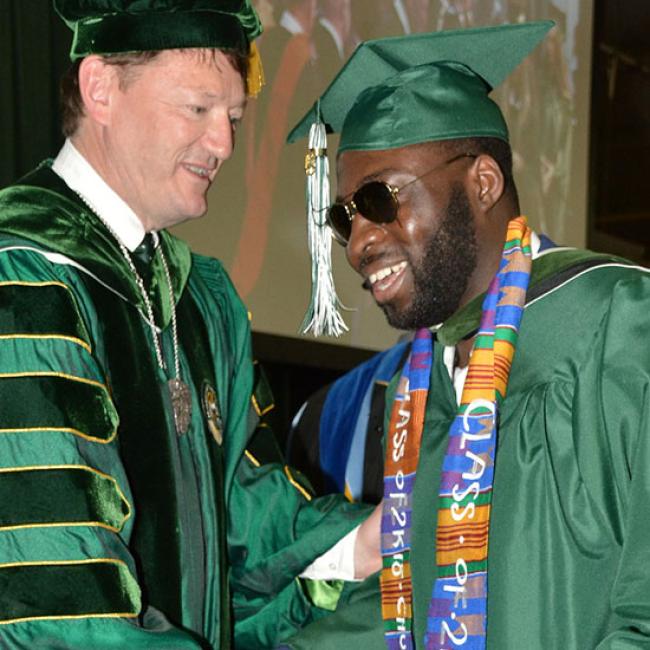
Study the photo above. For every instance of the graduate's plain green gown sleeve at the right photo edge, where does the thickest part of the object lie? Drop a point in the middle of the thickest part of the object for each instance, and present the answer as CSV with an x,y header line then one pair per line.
x,y
623,421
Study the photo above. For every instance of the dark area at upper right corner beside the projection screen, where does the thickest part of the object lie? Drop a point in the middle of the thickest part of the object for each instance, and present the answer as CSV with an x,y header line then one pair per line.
x,y
619,208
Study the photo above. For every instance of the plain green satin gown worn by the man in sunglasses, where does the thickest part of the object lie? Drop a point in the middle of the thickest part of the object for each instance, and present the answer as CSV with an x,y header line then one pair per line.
x,y
569,544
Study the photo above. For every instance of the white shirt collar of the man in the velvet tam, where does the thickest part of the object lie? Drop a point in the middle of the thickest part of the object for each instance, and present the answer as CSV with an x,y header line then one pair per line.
x,y
81,178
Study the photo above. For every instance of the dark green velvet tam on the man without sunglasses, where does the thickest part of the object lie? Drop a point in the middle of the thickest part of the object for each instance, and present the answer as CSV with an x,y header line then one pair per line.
x,y
116,26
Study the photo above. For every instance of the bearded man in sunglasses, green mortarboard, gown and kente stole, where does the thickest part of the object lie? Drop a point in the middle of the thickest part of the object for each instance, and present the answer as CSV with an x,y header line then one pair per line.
x,y
522,416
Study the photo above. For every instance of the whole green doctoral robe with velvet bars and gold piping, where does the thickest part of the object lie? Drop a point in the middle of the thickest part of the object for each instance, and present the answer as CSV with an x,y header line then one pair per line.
x,y
115,531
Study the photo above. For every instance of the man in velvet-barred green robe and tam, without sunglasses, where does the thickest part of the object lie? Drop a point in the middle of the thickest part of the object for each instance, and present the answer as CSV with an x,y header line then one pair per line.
x,y
140,504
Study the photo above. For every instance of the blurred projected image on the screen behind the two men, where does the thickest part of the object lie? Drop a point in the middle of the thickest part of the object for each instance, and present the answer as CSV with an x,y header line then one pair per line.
x,y
304,44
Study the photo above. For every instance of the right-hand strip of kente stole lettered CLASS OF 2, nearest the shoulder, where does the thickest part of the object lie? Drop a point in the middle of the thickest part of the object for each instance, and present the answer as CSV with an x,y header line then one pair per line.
x,y
458,610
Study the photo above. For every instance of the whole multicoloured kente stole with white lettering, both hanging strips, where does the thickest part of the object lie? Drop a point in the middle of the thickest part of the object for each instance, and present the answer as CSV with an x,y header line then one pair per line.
x,y
457,612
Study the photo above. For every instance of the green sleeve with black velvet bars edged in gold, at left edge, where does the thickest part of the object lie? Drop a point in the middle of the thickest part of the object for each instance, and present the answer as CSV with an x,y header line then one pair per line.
x,y
65,505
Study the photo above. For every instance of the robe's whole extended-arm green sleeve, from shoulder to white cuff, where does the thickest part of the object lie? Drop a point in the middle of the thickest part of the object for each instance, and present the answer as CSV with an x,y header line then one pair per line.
x,y
275,527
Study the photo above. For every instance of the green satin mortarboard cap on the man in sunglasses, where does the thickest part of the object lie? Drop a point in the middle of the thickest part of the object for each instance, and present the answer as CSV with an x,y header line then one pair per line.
x,y
399,91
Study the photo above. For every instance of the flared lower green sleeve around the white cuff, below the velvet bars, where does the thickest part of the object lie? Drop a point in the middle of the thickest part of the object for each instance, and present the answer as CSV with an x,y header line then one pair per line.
x,y
276,532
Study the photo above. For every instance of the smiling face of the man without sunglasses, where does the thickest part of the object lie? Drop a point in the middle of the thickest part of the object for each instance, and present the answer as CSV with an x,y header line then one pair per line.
x,y
167,131
